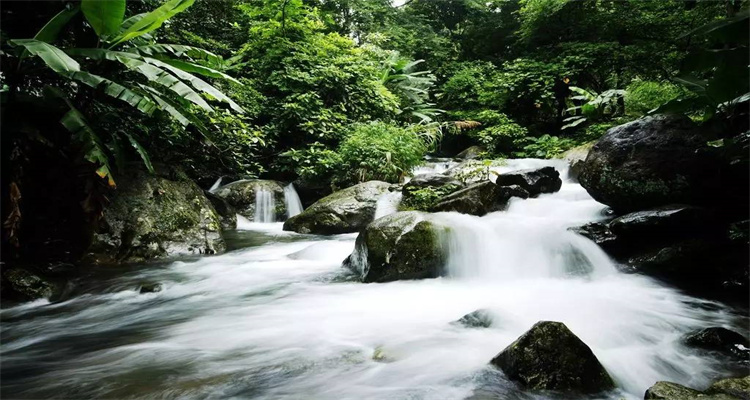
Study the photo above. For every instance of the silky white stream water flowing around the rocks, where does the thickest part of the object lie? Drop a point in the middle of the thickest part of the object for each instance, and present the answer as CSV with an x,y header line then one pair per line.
x,y
279,318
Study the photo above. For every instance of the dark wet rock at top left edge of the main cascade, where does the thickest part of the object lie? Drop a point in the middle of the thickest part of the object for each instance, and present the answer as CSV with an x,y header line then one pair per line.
x,y
477,199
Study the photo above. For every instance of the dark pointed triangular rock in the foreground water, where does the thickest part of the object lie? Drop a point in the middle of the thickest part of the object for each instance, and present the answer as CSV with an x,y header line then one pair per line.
x,y
550,357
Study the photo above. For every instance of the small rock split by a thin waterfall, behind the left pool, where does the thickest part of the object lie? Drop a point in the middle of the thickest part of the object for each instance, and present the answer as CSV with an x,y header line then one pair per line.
x,y
241,196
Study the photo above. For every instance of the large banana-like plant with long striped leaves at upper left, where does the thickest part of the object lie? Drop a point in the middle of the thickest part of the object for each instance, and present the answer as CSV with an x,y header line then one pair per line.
x,y
162,76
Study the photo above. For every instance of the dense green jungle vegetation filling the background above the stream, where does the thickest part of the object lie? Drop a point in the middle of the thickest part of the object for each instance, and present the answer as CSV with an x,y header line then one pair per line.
x,y
332,92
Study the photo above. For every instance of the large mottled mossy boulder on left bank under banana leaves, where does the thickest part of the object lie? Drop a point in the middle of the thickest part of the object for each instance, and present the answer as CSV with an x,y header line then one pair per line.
x,y
154,216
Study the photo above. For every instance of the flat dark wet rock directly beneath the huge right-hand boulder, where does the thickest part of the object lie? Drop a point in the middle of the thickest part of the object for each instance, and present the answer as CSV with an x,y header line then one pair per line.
x,y
676,220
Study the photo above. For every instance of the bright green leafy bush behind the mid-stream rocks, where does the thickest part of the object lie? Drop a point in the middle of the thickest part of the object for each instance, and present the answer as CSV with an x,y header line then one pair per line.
x,y
379,151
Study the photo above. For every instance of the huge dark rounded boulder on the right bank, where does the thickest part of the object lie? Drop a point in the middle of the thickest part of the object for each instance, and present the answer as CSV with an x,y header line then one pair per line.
x,y
650,162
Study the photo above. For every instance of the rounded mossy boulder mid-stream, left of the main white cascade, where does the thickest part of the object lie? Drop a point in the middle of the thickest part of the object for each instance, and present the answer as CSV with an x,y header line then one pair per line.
x,y
403,245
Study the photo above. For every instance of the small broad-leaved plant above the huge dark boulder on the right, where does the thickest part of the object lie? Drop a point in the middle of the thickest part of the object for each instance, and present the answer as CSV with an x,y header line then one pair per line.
x,y
595,107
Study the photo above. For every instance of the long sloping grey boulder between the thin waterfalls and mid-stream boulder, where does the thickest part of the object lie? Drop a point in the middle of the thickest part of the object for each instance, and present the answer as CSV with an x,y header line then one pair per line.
x,y
345,211
